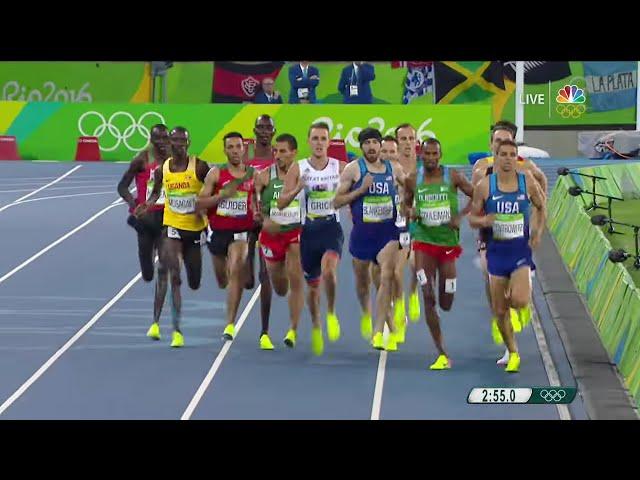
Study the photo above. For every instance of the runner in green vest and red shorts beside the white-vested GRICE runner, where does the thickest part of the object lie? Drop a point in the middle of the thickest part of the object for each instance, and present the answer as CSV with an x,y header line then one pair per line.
x,y
280,236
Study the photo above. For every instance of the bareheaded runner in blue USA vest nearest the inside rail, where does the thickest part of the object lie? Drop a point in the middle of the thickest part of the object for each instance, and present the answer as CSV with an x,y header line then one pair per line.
x,y
506,198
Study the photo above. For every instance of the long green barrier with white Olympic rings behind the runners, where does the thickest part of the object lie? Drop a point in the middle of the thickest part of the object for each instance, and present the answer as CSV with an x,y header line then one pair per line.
x,y
49,131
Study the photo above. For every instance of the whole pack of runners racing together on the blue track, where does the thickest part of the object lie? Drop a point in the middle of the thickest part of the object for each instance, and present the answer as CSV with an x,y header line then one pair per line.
x,y
402,201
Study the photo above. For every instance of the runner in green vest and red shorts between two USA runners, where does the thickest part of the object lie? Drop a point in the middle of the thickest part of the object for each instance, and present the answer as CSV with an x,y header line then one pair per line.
x,y
436,235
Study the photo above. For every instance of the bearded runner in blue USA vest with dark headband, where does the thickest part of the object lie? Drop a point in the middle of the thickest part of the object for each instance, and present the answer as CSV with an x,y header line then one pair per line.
x,y
369,186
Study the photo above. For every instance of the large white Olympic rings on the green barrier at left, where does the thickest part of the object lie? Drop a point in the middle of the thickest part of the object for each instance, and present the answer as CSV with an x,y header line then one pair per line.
x,y
121,131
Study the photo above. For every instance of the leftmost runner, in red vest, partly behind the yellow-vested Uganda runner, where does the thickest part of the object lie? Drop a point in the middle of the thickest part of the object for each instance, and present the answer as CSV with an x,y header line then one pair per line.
x,y
149,225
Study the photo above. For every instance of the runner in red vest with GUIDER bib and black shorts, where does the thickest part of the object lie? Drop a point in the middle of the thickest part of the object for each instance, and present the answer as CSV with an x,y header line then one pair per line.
x,y
228,196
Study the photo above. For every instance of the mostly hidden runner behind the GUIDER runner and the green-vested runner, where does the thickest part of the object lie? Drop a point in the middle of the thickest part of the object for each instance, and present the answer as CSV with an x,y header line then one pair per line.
x,y
264,131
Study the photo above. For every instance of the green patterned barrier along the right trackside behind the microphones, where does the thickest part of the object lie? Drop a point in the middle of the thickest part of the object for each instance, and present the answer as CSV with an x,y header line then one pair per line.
x,y
611,295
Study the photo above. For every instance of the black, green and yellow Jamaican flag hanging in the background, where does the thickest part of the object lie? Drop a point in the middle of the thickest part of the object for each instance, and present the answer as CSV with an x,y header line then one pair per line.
x,y
470,82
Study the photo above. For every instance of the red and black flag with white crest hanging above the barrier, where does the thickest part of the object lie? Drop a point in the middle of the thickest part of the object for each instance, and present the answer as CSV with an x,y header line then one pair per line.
x,y
237,82
